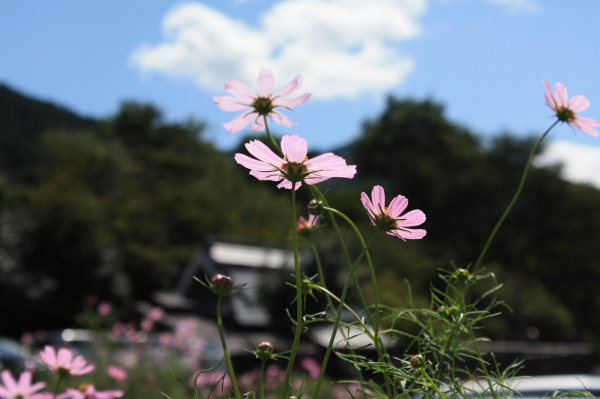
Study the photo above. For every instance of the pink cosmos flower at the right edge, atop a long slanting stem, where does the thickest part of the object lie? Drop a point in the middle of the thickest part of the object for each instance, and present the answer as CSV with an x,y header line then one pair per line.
x,y
566,110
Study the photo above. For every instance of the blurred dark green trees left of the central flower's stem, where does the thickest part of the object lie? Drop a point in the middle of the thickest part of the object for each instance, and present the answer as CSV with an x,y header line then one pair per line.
x,y
116,210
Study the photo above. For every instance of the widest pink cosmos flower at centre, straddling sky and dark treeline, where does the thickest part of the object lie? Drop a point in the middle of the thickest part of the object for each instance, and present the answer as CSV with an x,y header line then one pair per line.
x,y
295,166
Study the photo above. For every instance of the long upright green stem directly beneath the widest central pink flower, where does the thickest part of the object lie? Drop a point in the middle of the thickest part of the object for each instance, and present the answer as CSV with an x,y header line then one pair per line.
x,y
299,298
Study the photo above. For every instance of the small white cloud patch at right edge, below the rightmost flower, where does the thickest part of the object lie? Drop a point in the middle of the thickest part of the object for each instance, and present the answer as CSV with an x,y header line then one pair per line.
x,y
581,163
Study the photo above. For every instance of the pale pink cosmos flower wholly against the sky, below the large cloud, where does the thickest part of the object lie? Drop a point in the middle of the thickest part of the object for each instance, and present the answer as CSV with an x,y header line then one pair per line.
x,y
261,104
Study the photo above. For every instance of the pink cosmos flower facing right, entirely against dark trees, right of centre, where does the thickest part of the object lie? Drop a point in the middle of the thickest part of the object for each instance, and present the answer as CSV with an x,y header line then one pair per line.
x,y
390,219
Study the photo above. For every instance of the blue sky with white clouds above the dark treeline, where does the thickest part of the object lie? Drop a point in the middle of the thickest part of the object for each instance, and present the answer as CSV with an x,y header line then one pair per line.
x,y
485,60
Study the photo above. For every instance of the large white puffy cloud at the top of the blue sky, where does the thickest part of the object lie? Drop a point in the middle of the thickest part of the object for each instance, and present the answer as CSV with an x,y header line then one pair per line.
x,y
344,48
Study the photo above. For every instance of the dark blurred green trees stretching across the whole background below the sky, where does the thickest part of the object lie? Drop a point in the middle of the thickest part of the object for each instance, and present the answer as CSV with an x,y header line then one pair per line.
x,y
117,207
